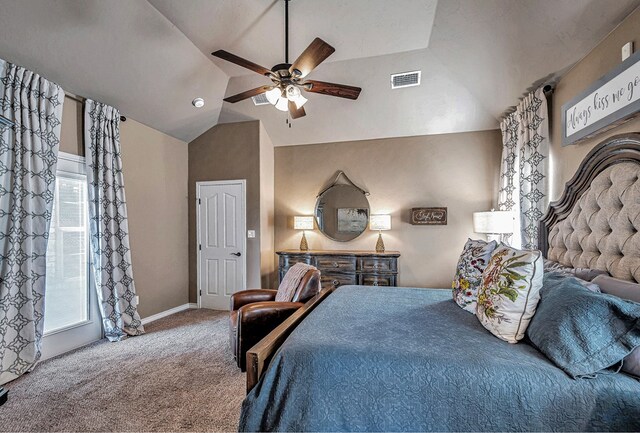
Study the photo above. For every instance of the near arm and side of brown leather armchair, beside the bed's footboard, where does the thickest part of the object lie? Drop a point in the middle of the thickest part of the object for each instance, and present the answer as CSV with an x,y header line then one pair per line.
x,y
257,320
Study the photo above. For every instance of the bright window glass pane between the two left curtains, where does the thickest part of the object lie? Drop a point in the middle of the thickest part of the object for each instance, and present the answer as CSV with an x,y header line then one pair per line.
x,y
66,295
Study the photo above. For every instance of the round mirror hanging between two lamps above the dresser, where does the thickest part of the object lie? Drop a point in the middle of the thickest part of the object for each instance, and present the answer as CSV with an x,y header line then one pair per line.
x,y
342,212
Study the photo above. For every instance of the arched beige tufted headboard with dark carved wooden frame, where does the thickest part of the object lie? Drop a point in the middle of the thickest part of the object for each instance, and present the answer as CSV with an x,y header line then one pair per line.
x,y
595,222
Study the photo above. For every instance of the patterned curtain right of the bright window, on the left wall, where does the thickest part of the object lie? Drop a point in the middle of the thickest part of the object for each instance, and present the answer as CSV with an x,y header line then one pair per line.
x,y
108,222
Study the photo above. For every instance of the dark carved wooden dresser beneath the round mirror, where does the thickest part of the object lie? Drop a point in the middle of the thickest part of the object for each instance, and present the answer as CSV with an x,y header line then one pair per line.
x,y
339,268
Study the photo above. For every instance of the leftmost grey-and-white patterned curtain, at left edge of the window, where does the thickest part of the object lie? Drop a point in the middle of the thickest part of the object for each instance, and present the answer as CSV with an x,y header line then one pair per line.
x,y
28,159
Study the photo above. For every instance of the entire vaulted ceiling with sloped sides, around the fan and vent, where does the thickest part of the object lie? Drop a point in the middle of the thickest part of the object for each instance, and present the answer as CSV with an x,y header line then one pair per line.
x,y
151,58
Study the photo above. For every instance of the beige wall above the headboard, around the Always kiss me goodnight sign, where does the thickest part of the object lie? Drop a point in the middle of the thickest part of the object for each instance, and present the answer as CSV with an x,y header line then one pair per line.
x,y
602,59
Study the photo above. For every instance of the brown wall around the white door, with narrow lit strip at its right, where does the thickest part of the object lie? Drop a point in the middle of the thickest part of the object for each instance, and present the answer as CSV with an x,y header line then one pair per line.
x,y
227,152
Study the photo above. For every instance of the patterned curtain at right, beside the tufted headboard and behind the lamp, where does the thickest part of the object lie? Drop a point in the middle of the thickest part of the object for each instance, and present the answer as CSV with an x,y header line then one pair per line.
x,y
524,168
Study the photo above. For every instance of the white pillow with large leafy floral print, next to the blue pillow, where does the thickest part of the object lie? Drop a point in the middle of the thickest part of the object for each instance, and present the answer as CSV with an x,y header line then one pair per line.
x,y
509,293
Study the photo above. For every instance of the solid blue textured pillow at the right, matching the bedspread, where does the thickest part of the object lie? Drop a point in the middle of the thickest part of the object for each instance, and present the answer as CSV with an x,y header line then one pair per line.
x,y
580,331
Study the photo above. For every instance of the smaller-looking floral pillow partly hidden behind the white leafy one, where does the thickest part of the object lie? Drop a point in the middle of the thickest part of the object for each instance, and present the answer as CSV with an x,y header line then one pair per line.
x,y
474,258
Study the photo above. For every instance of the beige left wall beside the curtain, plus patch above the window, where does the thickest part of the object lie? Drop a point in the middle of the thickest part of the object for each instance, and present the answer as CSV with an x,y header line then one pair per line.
x,y
155,171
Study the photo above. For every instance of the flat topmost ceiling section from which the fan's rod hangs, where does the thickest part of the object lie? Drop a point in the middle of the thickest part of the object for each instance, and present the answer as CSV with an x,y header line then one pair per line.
x,y
355,28
